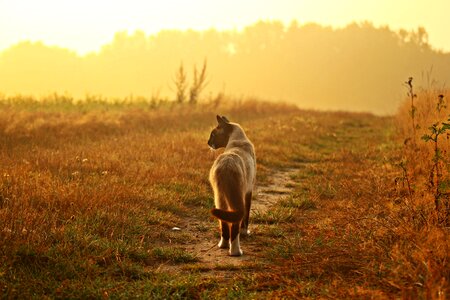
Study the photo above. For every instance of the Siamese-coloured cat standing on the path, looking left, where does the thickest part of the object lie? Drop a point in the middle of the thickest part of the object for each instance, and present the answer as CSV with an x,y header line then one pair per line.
x,y
232,177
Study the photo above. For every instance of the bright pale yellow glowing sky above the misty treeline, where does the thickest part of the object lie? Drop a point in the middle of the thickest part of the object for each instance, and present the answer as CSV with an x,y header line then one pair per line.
x,y
85,25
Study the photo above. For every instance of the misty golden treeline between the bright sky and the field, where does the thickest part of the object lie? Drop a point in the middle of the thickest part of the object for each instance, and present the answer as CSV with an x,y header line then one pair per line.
x,y
358,68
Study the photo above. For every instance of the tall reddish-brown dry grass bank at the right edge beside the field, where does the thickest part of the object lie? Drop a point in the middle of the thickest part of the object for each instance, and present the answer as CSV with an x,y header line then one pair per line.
x,y
428,161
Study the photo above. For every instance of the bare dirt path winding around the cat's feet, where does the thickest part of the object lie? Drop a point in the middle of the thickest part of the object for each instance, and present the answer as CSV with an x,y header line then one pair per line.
x,y
204,246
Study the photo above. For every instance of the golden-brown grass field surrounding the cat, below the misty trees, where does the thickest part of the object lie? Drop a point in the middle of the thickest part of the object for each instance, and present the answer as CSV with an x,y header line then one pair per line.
x,y
90,194
